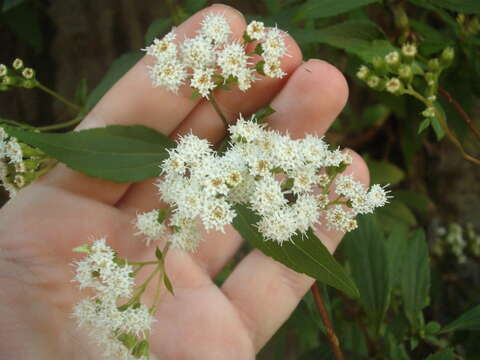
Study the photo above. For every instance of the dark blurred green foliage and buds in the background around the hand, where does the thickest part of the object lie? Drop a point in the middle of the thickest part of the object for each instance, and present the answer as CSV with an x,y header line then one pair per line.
x,y
413,67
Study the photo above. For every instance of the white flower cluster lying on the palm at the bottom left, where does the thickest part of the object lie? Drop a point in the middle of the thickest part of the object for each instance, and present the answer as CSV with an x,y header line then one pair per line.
x,y
100,314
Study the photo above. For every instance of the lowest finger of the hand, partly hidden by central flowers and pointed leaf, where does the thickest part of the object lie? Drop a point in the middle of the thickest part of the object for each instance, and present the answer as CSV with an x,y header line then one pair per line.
x,y
266,292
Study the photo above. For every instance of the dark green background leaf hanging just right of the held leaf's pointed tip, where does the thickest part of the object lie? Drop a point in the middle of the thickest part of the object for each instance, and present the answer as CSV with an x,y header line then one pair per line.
x,y
367,257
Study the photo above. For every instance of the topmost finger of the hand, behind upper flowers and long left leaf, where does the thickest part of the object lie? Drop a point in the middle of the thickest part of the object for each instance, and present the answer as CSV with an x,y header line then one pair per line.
x,y
133,100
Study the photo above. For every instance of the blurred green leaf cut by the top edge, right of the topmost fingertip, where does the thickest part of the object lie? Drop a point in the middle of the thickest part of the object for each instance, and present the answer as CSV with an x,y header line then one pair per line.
x,y
316,9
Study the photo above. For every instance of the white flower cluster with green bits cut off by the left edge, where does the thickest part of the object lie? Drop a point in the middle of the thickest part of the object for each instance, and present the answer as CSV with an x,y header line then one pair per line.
x,y
19,163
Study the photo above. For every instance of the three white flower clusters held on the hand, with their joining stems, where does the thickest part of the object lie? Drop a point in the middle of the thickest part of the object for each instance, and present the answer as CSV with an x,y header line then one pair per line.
x,y
281,188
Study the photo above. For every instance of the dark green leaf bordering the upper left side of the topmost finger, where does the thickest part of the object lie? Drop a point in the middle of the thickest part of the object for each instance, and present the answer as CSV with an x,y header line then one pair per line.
x,y
118,68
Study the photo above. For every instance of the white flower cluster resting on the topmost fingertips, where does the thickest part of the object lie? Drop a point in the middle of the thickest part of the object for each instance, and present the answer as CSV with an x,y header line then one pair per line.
x,y
212,58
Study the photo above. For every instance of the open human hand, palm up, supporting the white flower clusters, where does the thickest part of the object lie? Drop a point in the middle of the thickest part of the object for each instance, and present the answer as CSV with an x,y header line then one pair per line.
x,y
64,209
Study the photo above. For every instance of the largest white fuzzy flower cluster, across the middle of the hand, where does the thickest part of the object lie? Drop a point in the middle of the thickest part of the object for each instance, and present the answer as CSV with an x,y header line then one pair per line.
x,y
287,182
